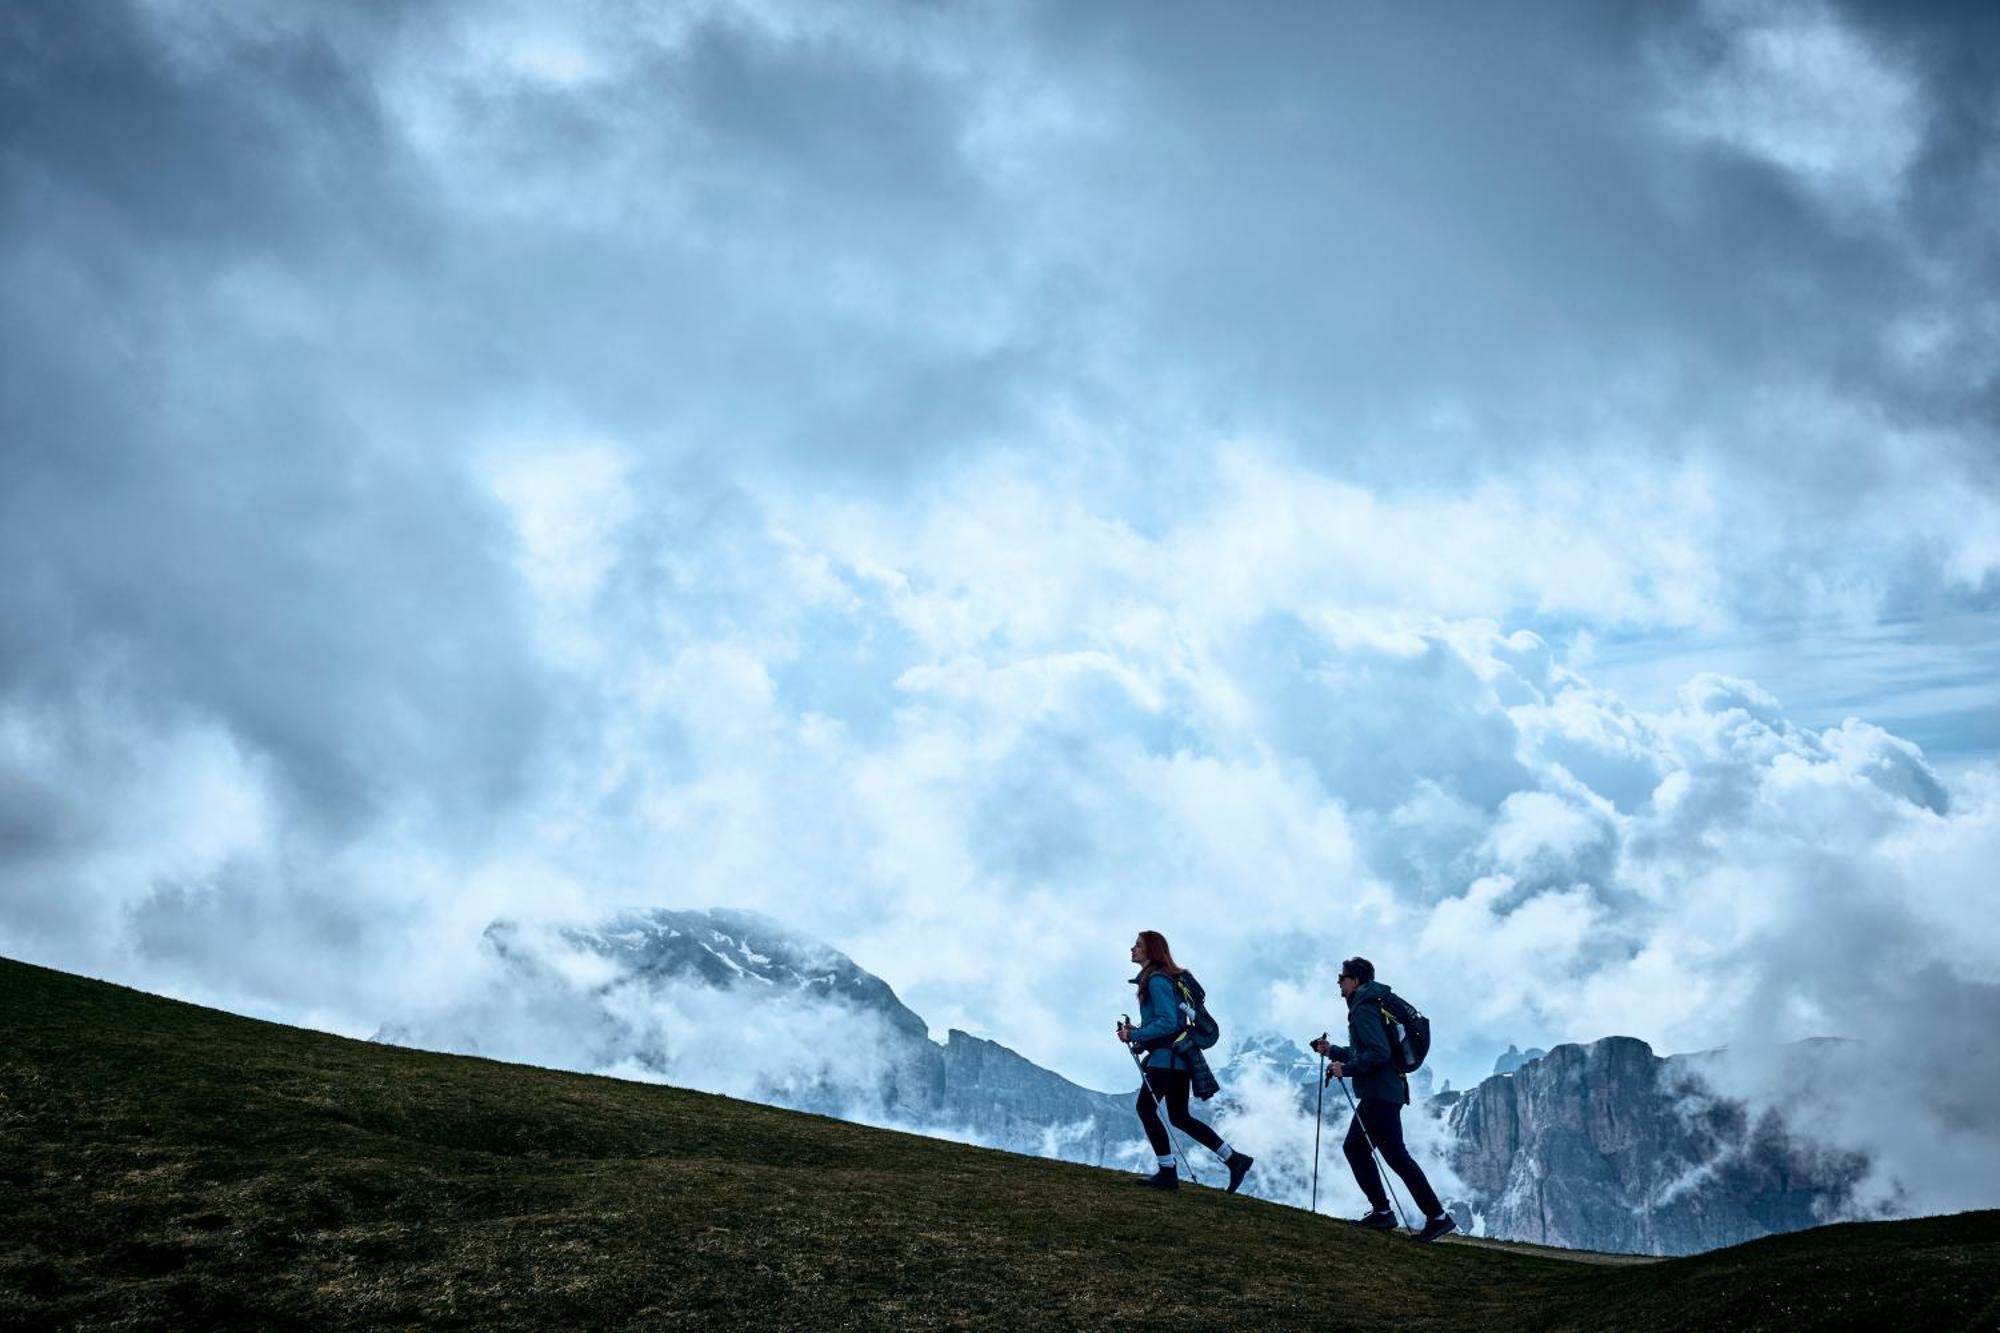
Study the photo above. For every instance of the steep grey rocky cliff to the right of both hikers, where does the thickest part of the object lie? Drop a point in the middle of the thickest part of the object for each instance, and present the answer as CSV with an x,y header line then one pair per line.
x,y
1613,1148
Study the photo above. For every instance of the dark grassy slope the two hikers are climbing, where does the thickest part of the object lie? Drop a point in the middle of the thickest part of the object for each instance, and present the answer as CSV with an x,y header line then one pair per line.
x,y
167,1166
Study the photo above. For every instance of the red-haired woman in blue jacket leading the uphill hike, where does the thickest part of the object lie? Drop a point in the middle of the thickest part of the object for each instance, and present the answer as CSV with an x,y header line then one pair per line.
x,y
1169,1064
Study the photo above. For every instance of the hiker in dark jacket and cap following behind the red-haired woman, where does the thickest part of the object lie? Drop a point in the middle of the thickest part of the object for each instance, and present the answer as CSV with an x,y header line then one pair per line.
x,y
1383,1092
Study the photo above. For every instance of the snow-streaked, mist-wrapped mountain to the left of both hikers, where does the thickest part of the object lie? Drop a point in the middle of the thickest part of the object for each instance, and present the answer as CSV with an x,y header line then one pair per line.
x,y
733,1002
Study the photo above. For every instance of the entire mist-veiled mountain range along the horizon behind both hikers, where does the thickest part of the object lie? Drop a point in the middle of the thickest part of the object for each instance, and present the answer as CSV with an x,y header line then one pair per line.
x,y
1589,1146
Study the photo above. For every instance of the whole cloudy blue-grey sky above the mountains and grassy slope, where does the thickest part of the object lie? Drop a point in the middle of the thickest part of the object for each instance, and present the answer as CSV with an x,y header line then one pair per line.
x,y
1513,493
